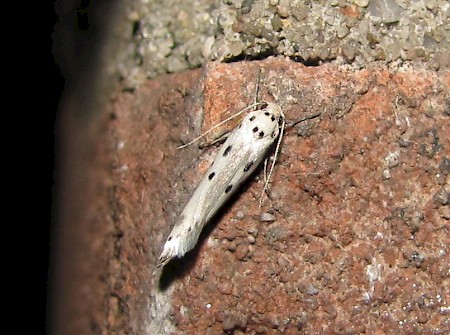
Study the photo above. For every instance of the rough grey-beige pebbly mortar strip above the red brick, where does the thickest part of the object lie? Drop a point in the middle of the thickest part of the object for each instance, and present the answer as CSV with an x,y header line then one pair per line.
x,y
172,36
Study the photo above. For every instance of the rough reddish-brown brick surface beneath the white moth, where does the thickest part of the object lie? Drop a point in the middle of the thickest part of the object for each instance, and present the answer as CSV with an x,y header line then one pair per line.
x,y
360,243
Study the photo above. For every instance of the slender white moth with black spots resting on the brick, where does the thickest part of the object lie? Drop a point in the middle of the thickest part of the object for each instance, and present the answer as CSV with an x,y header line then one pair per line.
x,y
238,157
